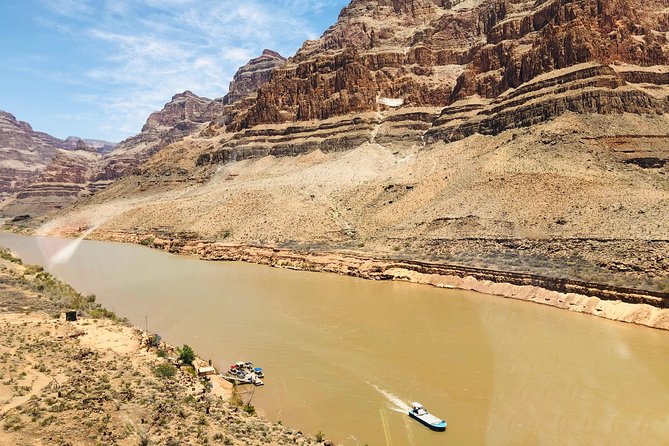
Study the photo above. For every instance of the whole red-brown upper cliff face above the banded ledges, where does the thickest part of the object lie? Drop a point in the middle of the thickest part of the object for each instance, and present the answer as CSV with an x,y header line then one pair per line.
x,y
434,52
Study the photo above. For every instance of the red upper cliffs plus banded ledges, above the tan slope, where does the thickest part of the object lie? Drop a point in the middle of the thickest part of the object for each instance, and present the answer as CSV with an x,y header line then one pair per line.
x,y
468,56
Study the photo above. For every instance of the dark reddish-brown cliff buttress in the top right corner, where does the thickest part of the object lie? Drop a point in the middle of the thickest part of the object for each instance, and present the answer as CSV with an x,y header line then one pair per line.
x,y
526,40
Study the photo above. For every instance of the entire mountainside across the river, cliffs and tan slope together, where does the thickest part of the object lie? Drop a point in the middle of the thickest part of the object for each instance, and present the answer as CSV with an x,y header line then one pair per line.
x,y
439,129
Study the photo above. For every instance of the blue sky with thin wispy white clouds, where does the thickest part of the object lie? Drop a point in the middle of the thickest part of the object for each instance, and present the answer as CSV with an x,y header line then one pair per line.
x,y
97,68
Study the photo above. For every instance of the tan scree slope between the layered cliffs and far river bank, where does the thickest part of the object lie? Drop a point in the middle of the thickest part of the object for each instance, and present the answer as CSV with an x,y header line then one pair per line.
x,y
558,200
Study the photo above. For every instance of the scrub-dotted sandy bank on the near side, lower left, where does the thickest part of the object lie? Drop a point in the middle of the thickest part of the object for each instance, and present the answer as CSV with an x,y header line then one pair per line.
x,y
95,381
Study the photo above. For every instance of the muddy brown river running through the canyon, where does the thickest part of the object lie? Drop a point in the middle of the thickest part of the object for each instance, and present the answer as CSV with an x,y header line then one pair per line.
x,y
344,355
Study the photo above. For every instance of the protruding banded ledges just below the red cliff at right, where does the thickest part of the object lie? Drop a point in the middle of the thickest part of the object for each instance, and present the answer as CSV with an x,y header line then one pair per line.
x,y
584,88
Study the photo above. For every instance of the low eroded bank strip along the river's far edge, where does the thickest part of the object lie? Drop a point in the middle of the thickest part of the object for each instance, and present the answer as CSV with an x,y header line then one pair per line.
x,y
645,308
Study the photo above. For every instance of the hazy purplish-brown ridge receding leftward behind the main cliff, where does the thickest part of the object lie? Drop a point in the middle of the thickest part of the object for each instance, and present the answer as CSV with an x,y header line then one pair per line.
x,y
78,174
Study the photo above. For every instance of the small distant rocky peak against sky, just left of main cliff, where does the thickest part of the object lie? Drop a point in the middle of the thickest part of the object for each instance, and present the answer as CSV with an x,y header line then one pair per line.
x,y
256,73
